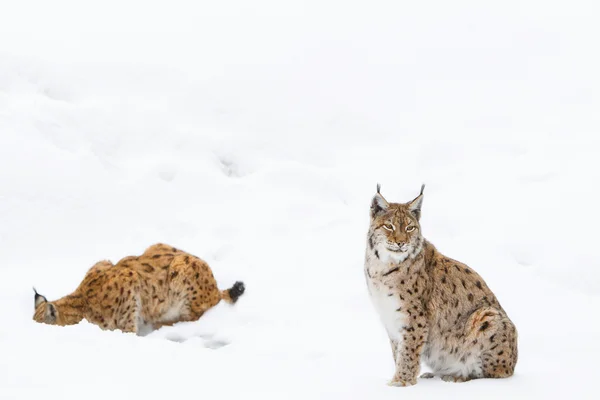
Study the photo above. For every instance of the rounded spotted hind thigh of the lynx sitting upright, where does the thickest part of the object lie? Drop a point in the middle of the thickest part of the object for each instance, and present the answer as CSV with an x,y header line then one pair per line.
x,y
496,337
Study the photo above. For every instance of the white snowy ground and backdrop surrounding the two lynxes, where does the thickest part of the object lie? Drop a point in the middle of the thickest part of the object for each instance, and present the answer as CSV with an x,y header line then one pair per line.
x,y
252,134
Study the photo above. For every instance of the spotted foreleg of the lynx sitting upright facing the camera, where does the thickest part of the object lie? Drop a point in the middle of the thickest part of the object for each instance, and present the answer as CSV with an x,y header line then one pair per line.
x,y
408,354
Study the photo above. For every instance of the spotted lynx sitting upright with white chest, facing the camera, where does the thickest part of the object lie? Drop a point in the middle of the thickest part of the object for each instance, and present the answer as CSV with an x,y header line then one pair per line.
x,y
432,306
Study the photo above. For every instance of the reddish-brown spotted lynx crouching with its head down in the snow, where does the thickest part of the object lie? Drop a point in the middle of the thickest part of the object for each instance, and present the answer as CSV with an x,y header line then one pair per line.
x,y
161,287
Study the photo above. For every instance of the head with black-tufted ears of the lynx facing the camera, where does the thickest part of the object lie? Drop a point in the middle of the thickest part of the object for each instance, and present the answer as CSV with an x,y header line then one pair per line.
x,y
395,232
